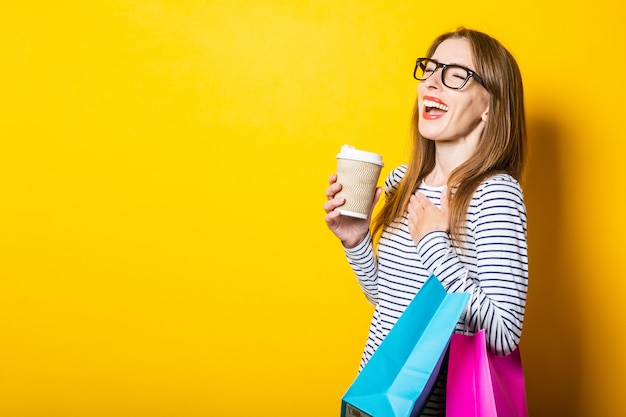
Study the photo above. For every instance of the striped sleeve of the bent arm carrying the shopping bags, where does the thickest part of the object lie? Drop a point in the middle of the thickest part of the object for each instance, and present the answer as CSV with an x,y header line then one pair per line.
x,y
498,282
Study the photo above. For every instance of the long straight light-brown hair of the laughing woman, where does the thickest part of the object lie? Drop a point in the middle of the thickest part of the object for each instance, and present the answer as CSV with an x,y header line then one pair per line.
x,y
500,149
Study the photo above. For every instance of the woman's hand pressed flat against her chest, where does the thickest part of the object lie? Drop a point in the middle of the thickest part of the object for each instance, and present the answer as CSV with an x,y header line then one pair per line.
x,y
425,217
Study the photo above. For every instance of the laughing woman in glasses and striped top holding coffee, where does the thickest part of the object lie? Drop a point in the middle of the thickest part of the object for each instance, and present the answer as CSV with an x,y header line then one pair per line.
x,y
457,208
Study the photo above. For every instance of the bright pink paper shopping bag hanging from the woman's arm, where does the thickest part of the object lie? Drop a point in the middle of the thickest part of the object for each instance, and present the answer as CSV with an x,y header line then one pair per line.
x,y
481,384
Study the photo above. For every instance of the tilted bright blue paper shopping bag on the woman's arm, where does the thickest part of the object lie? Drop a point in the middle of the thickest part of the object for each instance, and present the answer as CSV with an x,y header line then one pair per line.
x,y
399,376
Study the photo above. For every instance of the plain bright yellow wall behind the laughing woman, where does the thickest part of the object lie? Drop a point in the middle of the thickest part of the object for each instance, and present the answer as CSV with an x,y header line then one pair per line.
x,y
163,163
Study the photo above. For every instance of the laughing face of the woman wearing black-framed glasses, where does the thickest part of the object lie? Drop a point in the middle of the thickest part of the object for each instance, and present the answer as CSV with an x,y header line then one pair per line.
x,y
448,115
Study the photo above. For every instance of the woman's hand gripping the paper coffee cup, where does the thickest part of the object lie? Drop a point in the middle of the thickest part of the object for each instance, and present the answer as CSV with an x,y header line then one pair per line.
x,y
350,230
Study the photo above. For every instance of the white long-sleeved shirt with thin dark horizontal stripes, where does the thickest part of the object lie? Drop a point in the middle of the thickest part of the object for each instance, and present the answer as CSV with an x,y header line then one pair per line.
x,y
492,267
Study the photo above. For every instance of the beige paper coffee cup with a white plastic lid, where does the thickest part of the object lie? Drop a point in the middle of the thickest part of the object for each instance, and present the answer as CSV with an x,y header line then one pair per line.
x,y
357,172
